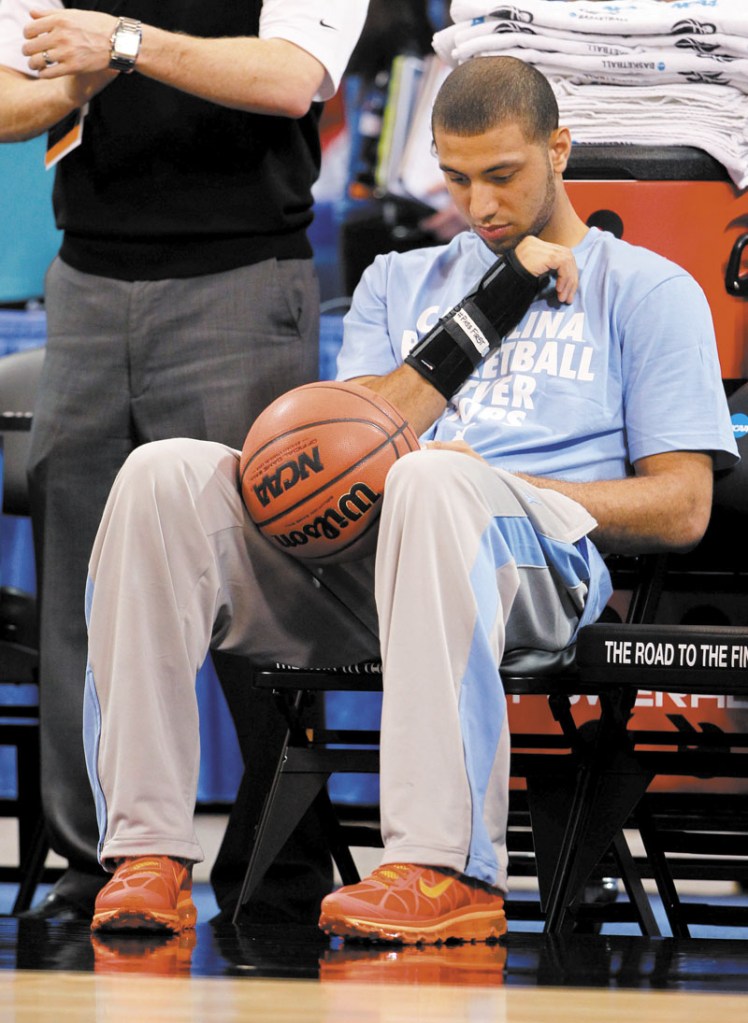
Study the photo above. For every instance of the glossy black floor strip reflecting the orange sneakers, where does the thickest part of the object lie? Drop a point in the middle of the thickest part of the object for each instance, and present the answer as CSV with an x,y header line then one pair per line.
x,y
522,959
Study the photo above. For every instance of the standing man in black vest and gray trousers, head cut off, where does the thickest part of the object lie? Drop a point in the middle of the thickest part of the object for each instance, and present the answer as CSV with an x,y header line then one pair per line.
x,y
184,299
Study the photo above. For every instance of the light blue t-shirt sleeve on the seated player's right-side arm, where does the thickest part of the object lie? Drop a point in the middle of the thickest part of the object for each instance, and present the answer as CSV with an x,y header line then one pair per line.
x,y
673,387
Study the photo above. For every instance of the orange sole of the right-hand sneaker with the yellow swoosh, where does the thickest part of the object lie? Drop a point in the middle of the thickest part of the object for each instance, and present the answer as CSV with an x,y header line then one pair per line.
x,y
461,927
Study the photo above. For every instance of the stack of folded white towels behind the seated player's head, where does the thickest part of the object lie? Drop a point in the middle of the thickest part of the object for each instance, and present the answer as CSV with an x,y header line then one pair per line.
x,y
640,72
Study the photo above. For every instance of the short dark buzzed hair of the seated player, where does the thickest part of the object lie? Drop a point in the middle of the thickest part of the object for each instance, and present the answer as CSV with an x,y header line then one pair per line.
x,y
486,93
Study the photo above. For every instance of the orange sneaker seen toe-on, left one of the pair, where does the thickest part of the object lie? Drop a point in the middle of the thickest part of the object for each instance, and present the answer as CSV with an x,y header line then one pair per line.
x,y
149,894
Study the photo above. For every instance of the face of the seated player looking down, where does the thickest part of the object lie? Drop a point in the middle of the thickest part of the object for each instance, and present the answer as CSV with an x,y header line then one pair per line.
x,y
505,187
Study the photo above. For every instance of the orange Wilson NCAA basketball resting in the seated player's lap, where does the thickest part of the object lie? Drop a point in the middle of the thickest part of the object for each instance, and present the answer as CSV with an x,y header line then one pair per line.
x,y
314,467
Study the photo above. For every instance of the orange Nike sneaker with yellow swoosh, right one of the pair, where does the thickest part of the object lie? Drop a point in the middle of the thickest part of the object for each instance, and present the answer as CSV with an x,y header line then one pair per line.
x,y
411,905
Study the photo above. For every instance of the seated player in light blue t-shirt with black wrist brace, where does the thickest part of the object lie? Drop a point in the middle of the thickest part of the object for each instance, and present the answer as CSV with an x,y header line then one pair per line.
x,y
558,422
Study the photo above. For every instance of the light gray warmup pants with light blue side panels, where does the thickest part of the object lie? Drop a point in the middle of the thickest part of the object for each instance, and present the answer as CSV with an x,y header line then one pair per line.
x,y
471,562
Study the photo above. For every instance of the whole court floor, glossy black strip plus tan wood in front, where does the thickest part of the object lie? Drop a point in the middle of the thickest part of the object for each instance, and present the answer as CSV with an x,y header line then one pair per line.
x,y
54,972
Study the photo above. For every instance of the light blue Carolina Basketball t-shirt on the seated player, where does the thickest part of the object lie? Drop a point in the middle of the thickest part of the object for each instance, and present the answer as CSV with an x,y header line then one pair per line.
x,y
579,392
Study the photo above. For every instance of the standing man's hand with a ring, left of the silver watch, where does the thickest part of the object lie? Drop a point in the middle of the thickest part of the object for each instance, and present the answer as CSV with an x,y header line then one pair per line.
x,y
69,42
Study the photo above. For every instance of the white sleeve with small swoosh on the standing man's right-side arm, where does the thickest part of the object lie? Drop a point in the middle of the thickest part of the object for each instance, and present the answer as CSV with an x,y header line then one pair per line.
x,y
327,29
